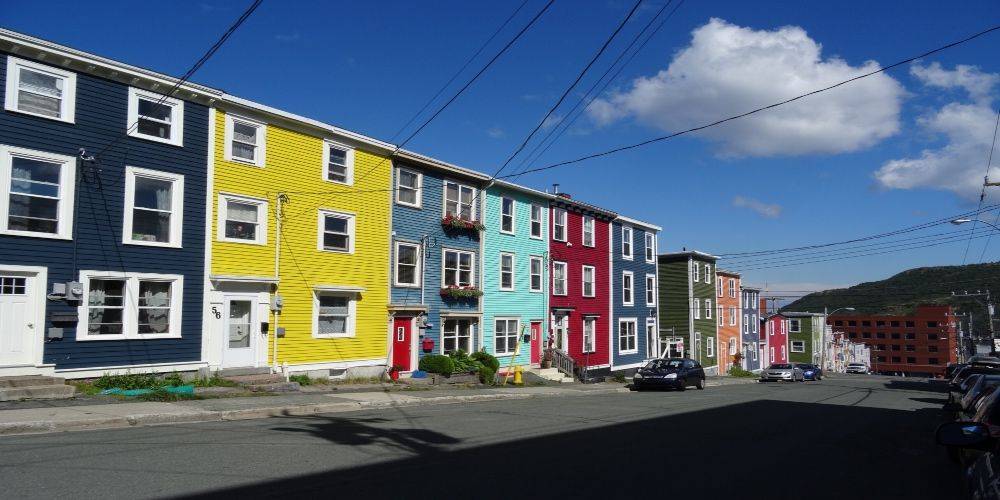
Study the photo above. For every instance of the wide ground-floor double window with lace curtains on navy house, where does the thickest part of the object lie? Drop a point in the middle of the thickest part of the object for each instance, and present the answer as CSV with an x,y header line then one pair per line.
x,y
119,306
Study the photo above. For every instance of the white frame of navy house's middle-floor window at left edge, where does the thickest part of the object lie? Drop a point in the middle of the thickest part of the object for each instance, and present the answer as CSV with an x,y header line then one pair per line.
x,y
67,191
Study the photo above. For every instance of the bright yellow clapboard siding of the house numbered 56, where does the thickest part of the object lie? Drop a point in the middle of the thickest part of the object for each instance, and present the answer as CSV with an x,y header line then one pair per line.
x,y
294,165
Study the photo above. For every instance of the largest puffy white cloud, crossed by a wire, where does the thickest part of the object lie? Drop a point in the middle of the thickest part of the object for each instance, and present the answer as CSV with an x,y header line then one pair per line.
x,y
728,69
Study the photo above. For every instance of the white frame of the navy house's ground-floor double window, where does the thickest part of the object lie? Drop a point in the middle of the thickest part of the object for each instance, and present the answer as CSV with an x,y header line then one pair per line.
x,y
130,314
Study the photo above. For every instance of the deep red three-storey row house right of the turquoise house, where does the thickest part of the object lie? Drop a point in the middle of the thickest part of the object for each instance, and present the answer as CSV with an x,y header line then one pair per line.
x,y
579,293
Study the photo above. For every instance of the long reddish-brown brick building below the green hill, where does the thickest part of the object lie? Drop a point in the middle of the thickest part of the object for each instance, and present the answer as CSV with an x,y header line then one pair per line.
x,y
921,344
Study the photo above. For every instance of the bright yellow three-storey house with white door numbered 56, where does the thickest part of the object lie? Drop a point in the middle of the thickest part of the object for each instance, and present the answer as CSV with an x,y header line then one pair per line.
x,y
299,243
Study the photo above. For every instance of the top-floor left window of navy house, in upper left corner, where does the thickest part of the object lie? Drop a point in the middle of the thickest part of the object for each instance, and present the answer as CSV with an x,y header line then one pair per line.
x,y
40,90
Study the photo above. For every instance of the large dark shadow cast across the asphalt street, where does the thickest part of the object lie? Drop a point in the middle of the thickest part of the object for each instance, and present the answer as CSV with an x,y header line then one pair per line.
x,y
818,450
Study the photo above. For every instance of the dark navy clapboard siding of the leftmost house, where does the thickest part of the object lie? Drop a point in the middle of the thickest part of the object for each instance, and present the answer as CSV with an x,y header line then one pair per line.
x,y
101,117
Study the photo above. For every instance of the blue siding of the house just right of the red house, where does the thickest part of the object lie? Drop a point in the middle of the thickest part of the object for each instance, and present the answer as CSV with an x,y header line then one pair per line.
x,y
639,310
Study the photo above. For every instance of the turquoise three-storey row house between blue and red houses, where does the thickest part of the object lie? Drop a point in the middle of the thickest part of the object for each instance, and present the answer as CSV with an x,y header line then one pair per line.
x,y
515,277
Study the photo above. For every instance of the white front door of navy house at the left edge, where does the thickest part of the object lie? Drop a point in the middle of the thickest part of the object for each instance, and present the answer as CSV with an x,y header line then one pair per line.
x,y
16,328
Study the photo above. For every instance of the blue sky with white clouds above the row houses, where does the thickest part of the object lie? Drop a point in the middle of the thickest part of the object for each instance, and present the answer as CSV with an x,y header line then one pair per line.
x,y
368,66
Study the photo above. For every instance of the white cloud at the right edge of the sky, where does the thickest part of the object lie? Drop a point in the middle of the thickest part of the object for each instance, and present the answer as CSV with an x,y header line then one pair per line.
x,y
957,166
